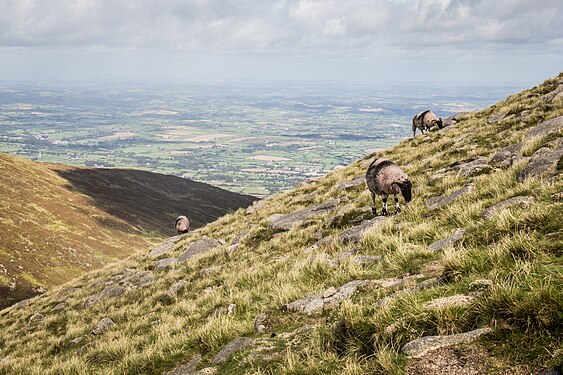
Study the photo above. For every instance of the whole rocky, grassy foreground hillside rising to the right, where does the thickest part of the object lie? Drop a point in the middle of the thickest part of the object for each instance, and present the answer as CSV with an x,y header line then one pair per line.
x,y
466,280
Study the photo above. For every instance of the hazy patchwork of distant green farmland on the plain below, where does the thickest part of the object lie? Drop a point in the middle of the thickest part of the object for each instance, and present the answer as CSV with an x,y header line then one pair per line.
x,y
253,140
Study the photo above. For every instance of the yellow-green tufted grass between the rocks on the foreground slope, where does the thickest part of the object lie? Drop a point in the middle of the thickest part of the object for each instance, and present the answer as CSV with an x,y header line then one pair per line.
x,y
518,249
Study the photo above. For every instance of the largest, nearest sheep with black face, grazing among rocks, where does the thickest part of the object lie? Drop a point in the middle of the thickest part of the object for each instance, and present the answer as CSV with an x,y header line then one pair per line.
x,y
384,177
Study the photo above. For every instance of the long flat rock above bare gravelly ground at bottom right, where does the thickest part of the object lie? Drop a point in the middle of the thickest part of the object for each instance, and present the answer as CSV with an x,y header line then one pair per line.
x,y
417,348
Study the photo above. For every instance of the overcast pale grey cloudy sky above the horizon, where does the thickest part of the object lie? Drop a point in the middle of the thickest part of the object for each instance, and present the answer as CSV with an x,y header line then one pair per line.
x,y
496,41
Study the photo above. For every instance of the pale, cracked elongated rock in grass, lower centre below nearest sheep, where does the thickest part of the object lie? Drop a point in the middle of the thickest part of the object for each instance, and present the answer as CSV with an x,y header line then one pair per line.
x,y
329,299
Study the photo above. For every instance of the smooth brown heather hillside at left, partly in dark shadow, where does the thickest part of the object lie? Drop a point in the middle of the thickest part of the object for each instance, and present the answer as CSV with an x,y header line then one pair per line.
x,y
59,221
